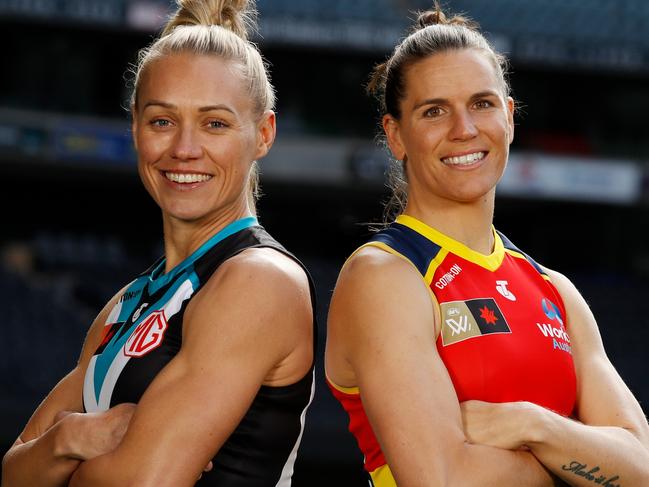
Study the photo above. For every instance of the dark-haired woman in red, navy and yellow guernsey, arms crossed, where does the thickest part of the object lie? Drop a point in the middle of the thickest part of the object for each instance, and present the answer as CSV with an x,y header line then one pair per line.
x,y
459,359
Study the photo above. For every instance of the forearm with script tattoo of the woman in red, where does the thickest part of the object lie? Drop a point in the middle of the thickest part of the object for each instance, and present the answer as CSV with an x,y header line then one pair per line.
x,y
584,455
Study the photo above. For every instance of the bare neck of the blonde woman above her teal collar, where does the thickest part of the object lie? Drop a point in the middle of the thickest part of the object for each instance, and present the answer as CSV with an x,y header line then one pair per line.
x,y
182,238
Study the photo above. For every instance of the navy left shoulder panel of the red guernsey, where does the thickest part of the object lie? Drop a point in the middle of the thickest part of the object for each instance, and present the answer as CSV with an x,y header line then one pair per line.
x,y
409,243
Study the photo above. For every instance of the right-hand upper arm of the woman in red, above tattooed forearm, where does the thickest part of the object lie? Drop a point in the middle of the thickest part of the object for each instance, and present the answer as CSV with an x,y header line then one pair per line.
x,y
603,399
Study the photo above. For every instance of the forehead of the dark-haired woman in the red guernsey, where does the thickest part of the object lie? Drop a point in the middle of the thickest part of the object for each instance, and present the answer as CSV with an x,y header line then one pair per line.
x,y
452,74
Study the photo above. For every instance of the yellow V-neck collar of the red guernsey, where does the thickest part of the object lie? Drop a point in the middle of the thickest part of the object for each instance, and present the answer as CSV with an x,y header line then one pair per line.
x,y
490,262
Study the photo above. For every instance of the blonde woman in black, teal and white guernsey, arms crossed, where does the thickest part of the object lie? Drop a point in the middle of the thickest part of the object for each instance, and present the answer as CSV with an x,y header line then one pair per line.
x,y
206,359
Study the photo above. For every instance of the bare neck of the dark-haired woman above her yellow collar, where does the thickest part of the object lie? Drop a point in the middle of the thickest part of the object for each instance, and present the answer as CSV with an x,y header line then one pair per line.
x,y
468,223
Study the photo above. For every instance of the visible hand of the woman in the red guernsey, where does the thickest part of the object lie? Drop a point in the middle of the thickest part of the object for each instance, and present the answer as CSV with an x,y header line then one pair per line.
x,y
501,425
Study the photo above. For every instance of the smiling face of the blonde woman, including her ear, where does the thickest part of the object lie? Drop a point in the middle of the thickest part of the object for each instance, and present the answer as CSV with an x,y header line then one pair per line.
x,y
196,135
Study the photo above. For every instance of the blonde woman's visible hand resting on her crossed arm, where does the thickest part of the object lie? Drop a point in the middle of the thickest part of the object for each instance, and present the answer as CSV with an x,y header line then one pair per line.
x,y
94,434
